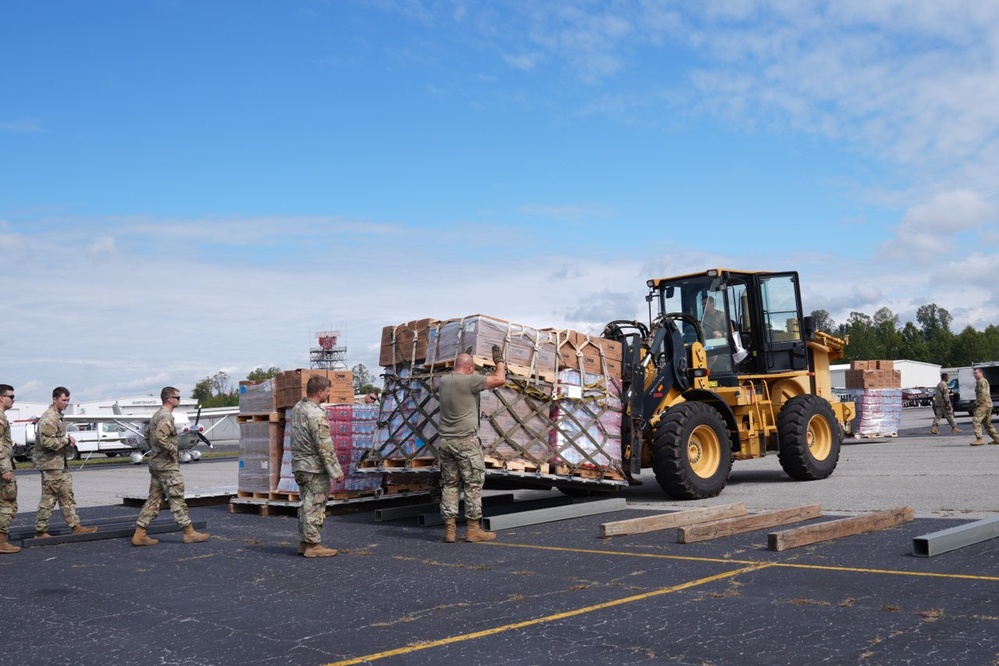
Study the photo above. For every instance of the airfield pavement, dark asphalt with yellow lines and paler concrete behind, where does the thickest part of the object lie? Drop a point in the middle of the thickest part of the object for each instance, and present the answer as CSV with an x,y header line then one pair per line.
x,y
551,593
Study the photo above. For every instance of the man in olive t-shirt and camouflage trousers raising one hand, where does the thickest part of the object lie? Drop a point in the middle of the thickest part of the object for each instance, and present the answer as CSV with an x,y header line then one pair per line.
x,y
459,448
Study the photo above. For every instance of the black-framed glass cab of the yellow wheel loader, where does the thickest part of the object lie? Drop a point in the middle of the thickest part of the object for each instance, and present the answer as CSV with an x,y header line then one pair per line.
x,y
750,323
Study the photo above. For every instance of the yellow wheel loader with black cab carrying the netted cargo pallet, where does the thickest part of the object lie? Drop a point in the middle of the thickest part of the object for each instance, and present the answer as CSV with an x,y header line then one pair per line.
x,y
727,369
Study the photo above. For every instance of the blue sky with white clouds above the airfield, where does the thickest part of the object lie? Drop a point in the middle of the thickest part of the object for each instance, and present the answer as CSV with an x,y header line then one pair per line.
x,y
188,187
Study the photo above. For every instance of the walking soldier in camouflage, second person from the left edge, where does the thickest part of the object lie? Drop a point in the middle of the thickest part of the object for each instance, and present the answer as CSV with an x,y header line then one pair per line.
x,y
51,446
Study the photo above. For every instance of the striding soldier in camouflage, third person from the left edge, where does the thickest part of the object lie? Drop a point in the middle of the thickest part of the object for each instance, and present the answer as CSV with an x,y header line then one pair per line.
x,y
165,480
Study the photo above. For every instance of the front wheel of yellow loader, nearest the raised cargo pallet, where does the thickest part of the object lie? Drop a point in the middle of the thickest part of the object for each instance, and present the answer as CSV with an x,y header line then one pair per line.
x,y
691,454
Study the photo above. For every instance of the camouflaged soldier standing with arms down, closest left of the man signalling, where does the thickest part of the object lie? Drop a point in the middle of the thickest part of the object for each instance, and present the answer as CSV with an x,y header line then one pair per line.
x,y
314,464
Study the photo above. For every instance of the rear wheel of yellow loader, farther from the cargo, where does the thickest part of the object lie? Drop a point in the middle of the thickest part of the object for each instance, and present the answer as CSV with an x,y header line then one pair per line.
x,y
810,438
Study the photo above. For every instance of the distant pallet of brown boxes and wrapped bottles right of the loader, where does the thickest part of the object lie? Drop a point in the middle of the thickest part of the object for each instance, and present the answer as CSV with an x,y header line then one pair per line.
x,y
875,389
